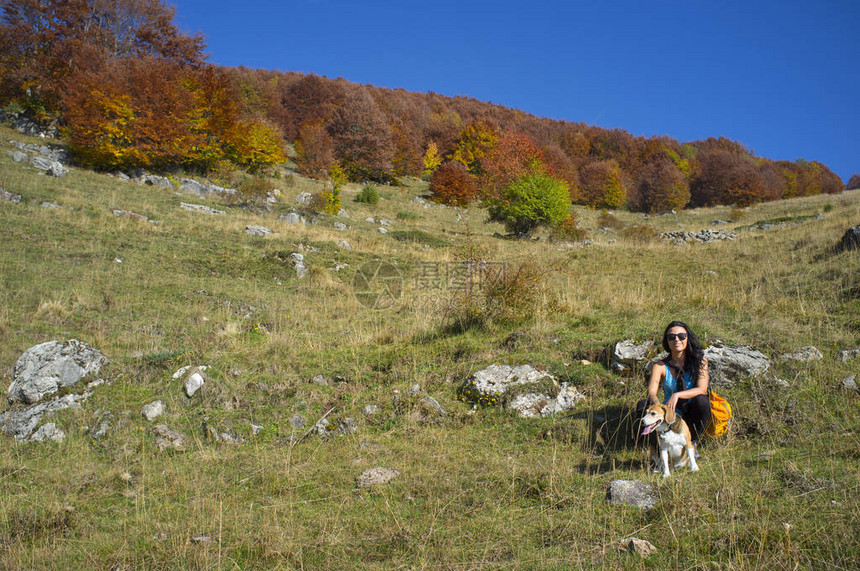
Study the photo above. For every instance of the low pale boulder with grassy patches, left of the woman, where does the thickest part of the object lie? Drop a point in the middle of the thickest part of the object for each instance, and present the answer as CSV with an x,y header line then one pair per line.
x,y
525,390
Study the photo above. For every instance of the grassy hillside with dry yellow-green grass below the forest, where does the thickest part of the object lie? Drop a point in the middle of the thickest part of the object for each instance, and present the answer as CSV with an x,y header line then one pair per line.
x,y
477,489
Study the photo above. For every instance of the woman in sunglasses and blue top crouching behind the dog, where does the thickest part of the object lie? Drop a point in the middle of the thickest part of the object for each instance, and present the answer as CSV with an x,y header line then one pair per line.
x,y
684,378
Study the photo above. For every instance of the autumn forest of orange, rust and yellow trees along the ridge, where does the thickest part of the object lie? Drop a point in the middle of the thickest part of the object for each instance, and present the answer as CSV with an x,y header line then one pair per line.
x,y
129,90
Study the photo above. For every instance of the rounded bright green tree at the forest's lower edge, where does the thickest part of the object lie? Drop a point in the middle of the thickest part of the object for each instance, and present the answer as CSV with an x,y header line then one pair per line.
x,y
530,201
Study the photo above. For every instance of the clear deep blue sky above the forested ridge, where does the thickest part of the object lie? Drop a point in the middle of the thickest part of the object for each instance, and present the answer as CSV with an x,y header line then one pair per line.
x,y
780,76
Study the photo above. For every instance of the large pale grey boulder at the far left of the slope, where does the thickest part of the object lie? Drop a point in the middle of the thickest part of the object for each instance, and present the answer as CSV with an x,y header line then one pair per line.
x,y
46,368
